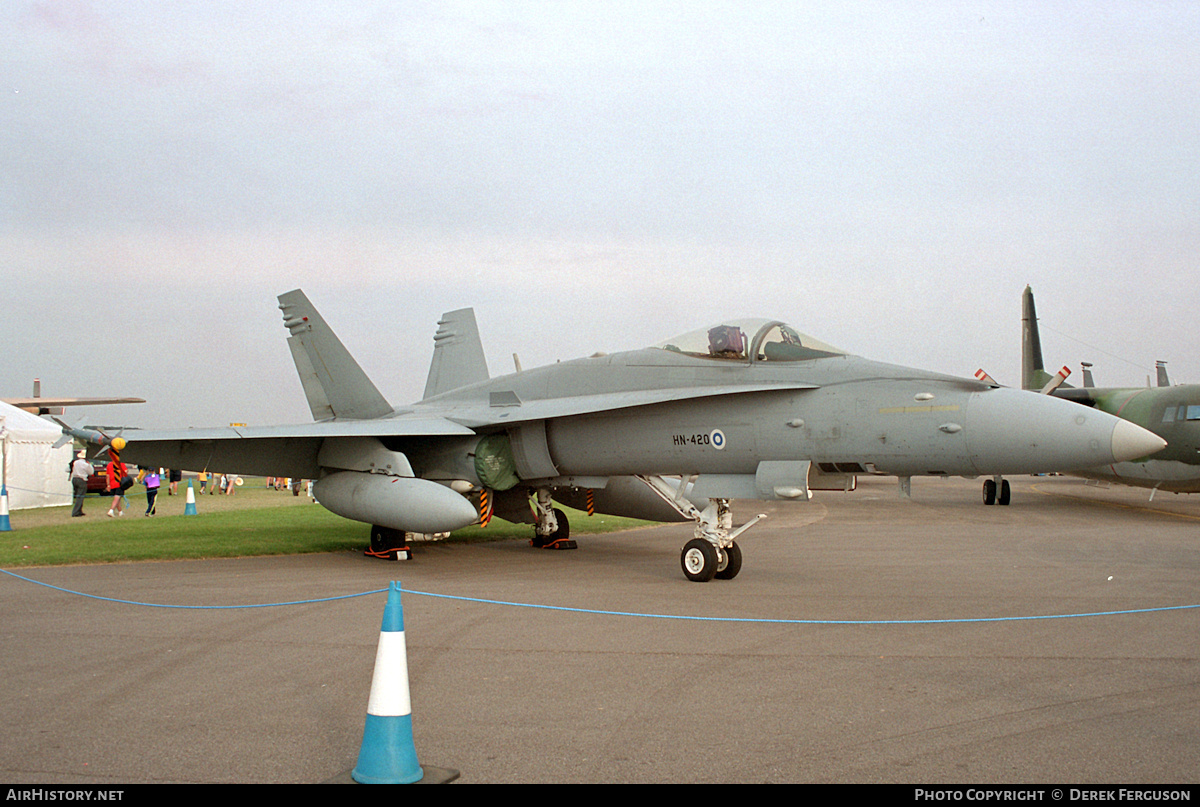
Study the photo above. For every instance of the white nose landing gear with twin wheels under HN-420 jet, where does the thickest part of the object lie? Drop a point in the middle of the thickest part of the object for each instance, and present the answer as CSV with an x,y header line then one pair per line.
x,y
713,553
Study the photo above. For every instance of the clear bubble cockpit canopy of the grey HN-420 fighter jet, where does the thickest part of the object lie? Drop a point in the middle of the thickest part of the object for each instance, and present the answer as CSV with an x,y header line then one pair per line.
x,y
759,340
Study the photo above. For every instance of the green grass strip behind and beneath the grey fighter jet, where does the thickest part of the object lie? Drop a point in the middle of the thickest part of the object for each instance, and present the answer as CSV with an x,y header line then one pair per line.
x,y
255,521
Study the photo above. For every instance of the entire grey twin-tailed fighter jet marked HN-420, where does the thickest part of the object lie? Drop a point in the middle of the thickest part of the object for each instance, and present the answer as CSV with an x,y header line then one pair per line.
x,y
743,410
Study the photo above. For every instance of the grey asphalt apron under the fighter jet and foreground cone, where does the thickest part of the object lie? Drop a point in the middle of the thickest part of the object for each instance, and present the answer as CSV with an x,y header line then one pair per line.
x,y
867,639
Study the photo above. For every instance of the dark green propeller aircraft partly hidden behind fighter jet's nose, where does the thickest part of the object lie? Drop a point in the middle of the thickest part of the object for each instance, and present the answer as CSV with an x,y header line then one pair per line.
x,y
1171,413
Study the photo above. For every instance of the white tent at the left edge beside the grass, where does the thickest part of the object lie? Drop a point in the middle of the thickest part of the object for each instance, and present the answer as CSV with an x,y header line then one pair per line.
x,y
34,471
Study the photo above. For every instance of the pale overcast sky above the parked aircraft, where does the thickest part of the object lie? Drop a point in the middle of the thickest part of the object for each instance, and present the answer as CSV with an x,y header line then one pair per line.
x,y
590,177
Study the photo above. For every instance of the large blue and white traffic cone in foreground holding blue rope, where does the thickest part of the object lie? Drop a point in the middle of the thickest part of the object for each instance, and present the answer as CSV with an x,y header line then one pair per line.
x,y
388,755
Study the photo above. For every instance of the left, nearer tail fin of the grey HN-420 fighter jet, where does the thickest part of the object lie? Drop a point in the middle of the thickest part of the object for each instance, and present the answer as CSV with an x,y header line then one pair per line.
x,y
333,381
